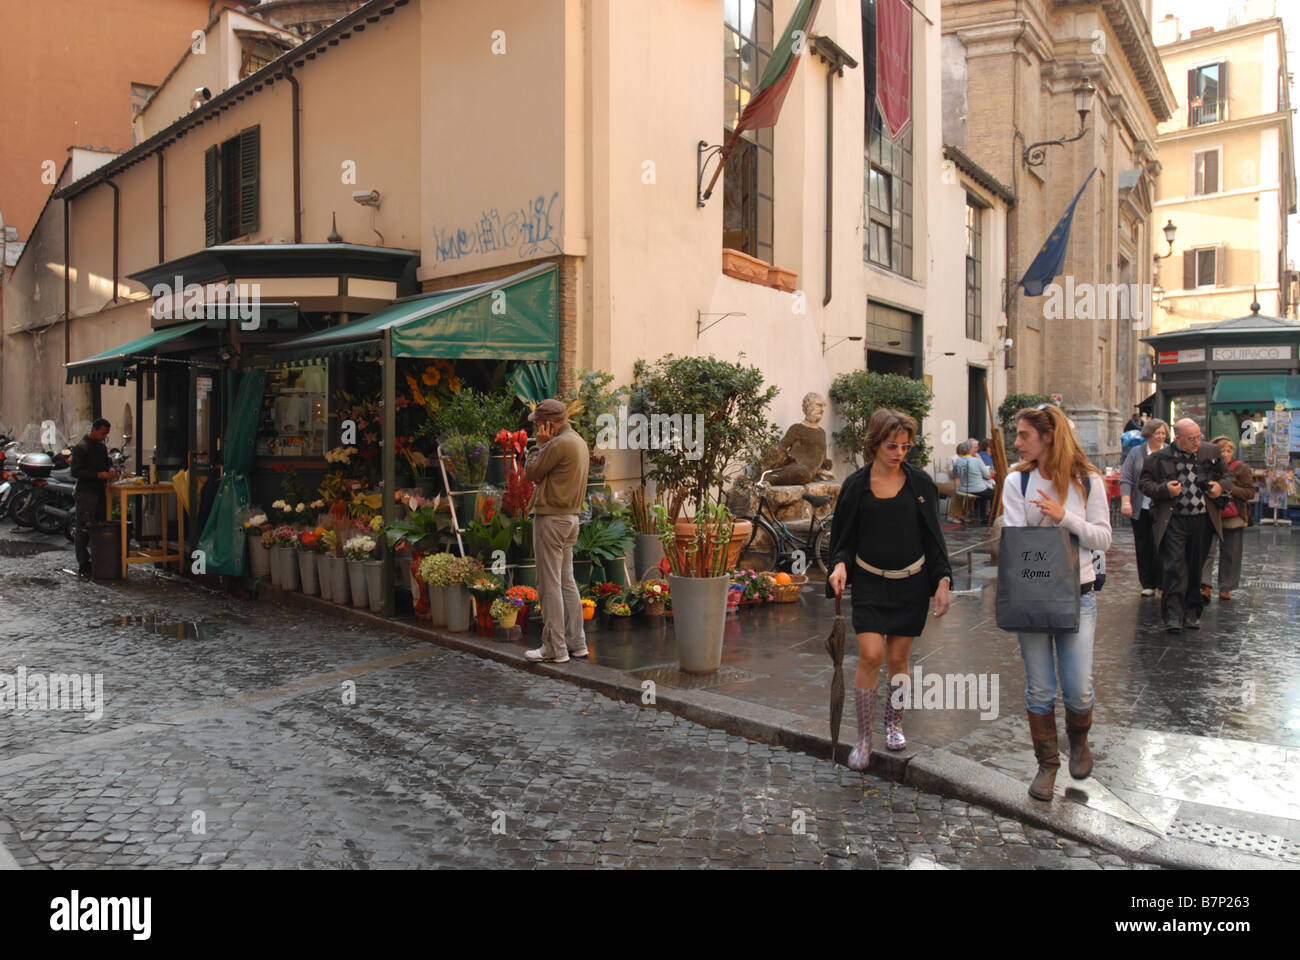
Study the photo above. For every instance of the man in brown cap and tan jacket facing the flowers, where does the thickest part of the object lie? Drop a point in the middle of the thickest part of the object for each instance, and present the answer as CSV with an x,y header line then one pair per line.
x,y
558,466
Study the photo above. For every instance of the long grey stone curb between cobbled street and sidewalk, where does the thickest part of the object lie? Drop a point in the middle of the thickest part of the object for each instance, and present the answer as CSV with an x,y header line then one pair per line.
x,y
931,769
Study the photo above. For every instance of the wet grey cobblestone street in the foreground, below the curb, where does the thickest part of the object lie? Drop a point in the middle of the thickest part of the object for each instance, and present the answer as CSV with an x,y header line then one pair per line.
x,y
253,736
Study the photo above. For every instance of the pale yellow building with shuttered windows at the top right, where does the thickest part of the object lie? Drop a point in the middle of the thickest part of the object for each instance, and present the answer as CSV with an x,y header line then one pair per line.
x,y
1229,171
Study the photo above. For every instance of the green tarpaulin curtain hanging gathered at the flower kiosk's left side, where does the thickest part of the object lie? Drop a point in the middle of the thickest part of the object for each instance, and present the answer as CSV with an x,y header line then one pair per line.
x,y
223,540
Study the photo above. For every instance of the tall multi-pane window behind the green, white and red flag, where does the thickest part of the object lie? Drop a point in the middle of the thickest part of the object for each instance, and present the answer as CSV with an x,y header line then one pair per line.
x,y
748,178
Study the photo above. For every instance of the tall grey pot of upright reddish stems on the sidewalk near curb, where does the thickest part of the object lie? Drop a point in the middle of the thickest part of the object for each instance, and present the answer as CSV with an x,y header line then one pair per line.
x,y
699,586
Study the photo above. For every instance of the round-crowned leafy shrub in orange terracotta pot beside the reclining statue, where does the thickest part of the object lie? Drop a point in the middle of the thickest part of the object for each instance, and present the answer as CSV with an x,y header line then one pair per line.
x,y
725,426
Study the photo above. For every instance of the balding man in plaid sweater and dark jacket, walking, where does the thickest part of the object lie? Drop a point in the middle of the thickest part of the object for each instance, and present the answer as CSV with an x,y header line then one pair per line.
x,y
1184,481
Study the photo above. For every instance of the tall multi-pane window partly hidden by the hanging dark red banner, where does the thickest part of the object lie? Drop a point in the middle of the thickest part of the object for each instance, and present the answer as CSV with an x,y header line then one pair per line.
x,y
890,172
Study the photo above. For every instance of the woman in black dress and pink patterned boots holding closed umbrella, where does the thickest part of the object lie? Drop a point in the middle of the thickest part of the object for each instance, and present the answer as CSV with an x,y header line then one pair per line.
x,y
886,537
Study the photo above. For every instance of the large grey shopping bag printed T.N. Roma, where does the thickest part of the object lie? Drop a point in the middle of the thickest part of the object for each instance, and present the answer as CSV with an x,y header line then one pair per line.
x,y
1038,581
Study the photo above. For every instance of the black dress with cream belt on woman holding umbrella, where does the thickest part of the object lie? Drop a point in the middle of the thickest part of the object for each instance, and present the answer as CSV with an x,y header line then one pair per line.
x,y
890,538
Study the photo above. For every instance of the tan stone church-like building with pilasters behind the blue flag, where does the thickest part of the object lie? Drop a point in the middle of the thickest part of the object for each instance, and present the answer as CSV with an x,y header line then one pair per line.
x,y
1013,76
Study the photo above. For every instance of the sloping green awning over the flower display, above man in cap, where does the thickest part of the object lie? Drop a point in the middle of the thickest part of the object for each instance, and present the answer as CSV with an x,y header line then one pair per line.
x,y
512,319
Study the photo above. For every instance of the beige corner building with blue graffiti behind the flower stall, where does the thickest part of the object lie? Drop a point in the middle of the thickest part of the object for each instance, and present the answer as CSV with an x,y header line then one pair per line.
x,y
378,171
